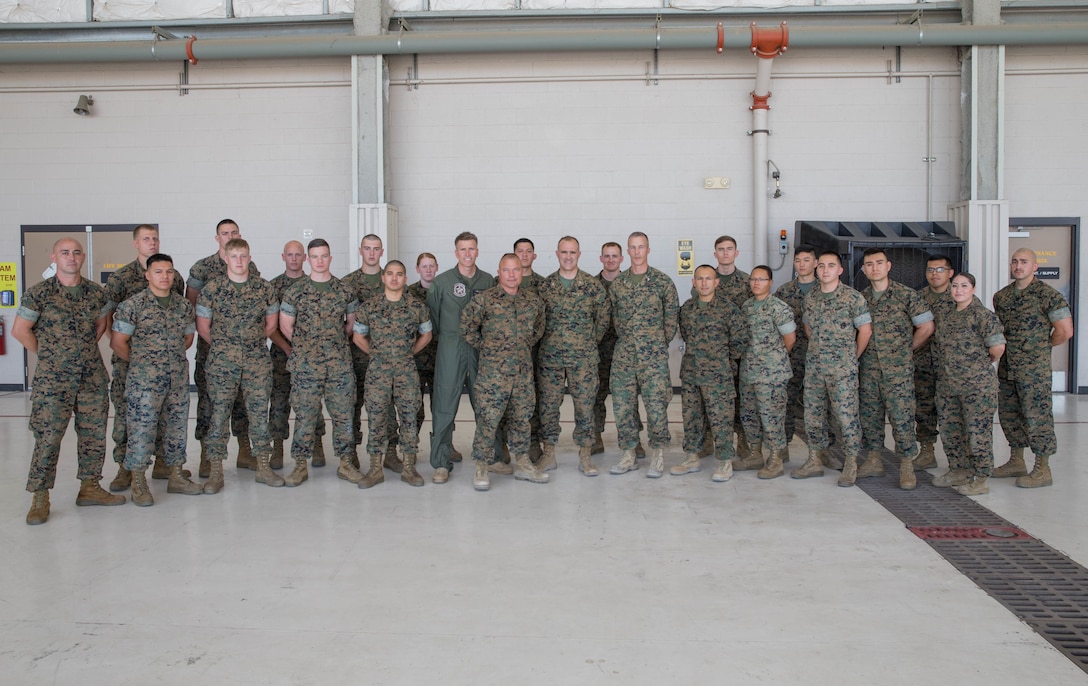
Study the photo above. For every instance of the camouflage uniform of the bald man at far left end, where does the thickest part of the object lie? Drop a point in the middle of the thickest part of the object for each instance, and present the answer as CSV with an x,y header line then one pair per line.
x,y
70,378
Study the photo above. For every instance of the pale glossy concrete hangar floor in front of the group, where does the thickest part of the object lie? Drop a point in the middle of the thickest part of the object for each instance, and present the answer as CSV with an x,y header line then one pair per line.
x,y
613,580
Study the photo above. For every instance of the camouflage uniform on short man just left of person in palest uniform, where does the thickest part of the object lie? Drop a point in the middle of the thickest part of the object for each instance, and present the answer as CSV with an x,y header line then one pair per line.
x,y
714,335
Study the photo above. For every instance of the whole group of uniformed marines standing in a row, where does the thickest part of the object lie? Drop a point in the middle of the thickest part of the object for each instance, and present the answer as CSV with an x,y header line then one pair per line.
x,y
758,368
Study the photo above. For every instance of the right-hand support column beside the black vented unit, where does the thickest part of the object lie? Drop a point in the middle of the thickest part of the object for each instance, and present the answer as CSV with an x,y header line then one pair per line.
x,y
983,215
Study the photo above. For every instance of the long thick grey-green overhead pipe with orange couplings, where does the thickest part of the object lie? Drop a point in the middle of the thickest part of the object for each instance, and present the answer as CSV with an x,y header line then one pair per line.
x,y
533,41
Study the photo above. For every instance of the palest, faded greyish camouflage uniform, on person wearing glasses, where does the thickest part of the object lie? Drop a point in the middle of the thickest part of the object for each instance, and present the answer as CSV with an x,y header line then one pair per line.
x,y
765,371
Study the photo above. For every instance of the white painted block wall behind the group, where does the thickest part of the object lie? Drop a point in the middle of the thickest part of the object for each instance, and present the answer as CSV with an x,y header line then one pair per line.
x,y
542,155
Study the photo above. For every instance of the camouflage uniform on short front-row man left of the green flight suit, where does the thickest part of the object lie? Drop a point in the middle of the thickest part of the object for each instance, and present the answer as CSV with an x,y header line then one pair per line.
x,y
393,329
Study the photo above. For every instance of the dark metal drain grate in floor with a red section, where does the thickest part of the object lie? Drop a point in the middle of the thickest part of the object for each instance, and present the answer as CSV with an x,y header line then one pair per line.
x,y
1038,584
